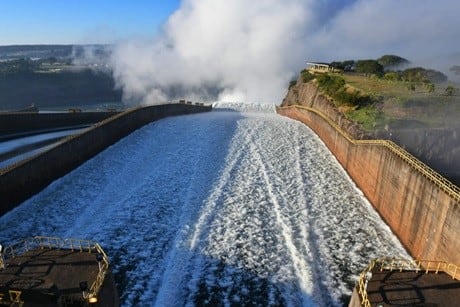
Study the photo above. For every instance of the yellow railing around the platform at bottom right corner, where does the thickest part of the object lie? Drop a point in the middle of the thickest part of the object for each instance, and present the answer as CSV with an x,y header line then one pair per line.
x,y
394,264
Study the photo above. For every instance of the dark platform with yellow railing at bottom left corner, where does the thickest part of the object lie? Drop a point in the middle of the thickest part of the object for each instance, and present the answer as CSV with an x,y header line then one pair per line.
x,y
65,262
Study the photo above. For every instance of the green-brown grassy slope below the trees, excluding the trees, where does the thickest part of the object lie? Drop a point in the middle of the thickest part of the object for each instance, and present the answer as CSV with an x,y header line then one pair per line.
x,y
378,103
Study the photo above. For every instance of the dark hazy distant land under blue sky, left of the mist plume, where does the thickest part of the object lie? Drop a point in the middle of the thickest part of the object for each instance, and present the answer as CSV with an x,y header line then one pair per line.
x,y
54,76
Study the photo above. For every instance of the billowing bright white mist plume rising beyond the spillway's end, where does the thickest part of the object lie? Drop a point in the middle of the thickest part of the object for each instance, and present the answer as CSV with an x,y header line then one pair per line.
x,y
237,49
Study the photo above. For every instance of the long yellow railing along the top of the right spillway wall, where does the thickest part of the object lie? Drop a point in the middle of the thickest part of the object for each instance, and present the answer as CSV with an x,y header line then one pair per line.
x,y
441,182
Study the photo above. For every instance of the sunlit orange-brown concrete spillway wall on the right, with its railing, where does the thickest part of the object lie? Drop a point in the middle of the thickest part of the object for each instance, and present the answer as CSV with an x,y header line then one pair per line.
x,y
419,205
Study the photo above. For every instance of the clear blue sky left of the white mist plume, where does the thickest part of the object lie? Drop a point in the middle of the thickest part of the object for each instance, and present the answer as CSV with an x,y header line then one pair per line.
x,y
80,21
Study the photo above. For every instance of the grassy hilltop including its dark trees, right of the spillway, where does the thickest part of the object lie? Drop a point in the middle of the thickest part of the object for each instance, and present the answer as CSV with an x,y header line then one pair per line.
x,y
376,95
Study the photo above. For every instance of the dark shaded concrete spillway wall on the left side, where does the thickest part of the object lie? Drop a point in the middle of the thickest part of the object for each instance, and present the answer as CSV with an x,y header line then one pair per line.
x,y
24,179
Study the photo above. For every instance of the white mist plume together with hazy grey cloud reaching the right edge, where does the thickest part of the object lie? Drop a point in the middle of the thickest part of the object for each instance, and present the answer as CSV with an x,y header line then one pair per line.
x,y
249,50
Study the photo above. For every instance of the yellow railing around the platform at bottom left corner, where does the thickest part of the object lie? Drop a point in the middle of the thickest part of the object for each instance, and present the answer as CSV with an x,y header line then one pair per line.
x,y
80,245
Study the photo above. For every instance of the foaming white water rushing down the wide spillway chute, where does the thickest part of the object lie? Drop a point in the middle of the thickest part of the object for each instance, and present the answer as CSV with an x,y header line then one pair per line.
x,y
222,208
